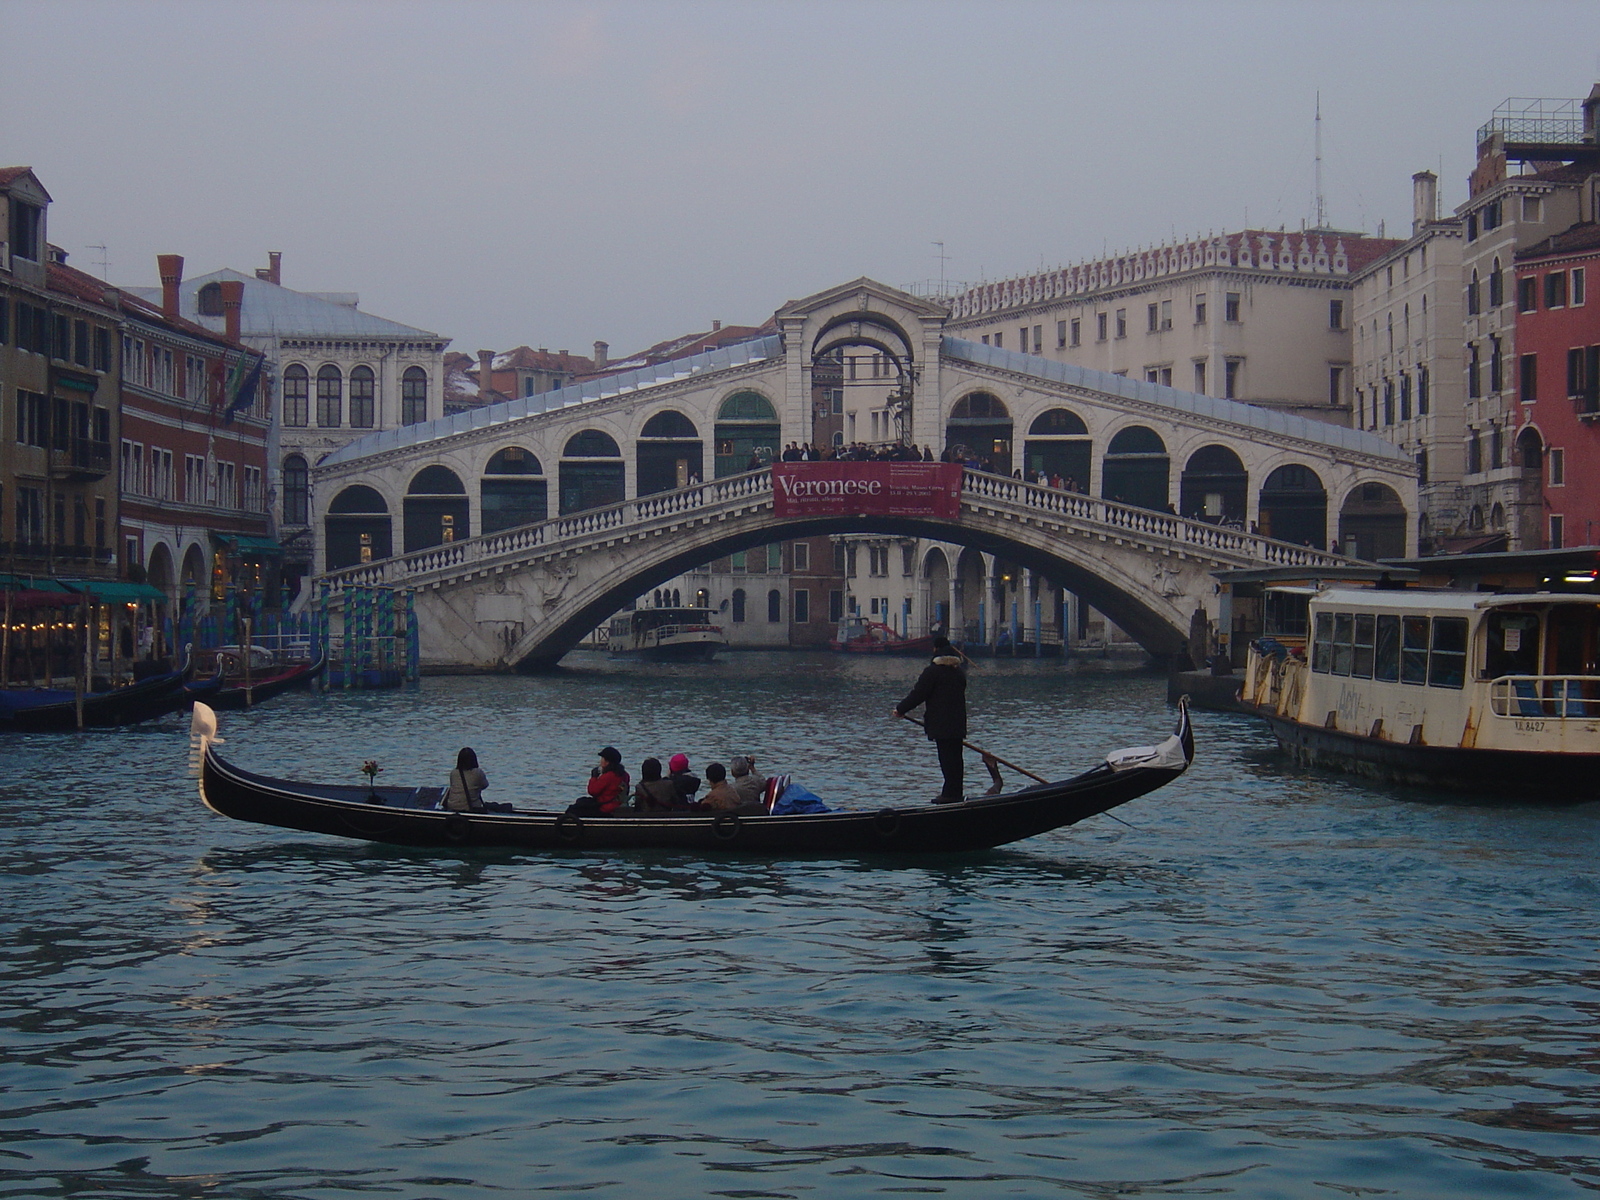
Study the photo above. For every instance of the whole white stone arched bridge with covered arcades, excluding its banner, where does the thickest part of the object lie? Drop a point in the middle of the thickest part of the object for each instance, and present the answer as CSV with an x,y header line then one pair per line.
x,y
524,526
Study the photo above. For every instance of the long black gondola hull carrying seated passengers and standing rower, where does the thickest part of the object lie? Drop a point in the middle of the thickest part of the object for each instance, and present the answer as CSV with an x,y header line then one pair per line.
x,y
409,817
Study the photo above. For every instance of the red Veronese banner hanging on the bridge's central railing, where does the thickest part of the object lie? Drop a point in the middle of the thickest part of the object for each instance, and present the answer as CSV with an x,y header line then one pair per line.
x,y
868,489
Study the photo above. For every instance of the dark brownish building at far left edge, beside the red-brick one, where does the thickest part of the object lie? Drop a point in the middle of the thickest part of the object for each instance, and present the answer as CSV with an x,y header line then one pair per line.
x,y
58,399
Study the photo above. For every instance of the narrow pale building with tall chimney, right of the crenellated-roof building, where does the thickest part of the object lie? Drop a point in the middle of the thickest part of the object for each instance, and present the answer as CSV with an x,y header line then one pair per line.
x,y
1409,380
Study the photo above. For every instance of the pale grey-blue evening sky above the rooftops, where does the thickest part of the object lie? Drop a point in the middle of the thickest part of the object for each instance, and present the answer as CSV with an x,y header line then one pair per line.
x,y
567,172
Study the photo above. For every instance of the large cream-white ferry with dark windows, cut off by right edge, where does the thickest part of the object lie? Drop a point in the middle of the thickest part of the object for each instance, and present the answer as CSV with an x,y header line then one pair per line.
x,y
1457,690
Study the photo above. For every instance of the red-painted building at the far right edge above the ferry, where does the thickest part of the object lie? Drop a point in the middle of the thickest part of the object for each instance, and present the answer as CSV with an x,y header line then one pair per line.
x,y
1559,380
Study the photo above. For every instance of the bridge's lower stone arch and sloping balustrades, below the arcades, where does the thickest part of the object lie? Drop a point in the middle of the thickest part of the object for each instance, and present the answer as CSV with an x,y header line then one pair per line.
x,y
524,598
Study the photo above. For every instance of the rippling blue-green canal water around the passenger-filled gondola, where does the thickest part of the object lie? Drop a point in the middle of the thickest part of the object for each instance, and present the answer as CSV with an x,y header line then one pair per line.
x,y
1268,983
